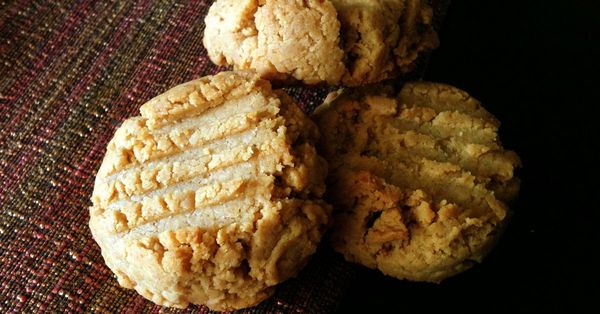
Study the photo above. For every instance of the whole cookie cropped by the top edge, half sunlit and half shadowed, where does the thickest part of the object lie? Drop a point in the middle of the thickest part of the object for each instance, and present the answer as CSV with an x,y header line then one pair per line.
x,y
347,42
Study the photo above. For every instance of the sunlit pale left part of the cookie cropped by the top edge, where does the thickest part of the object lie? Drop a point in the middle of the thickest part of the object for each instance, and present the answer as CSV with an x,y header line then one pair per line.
x,y
277,38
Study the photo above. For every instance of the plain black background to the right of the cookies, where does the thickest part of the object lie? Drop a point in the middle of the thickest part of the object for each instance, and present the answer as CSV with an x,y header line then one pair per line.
x,y
533,64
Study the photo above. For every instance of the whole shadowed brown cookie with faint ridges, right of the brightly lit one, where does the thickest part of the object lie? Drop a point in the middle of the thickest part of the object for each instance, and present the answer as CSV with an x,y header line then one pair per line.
x,y
419,181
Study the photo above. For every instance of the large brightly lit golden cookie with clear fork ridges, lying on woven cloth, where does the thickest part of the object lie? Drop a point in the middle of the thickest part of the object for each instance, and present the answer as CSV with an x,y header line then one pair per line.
x,y
212,195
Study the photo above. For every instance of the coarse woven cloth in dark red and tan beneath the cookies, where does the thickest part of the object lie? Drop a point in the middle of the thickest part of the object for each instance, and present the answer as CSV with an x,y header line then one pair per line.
x,y
70,73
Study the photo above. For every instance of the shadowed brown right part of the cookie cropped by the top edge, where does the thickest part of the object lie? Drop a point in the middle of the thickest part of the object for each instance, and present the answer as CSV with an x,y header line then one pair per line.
x,y
383,38
